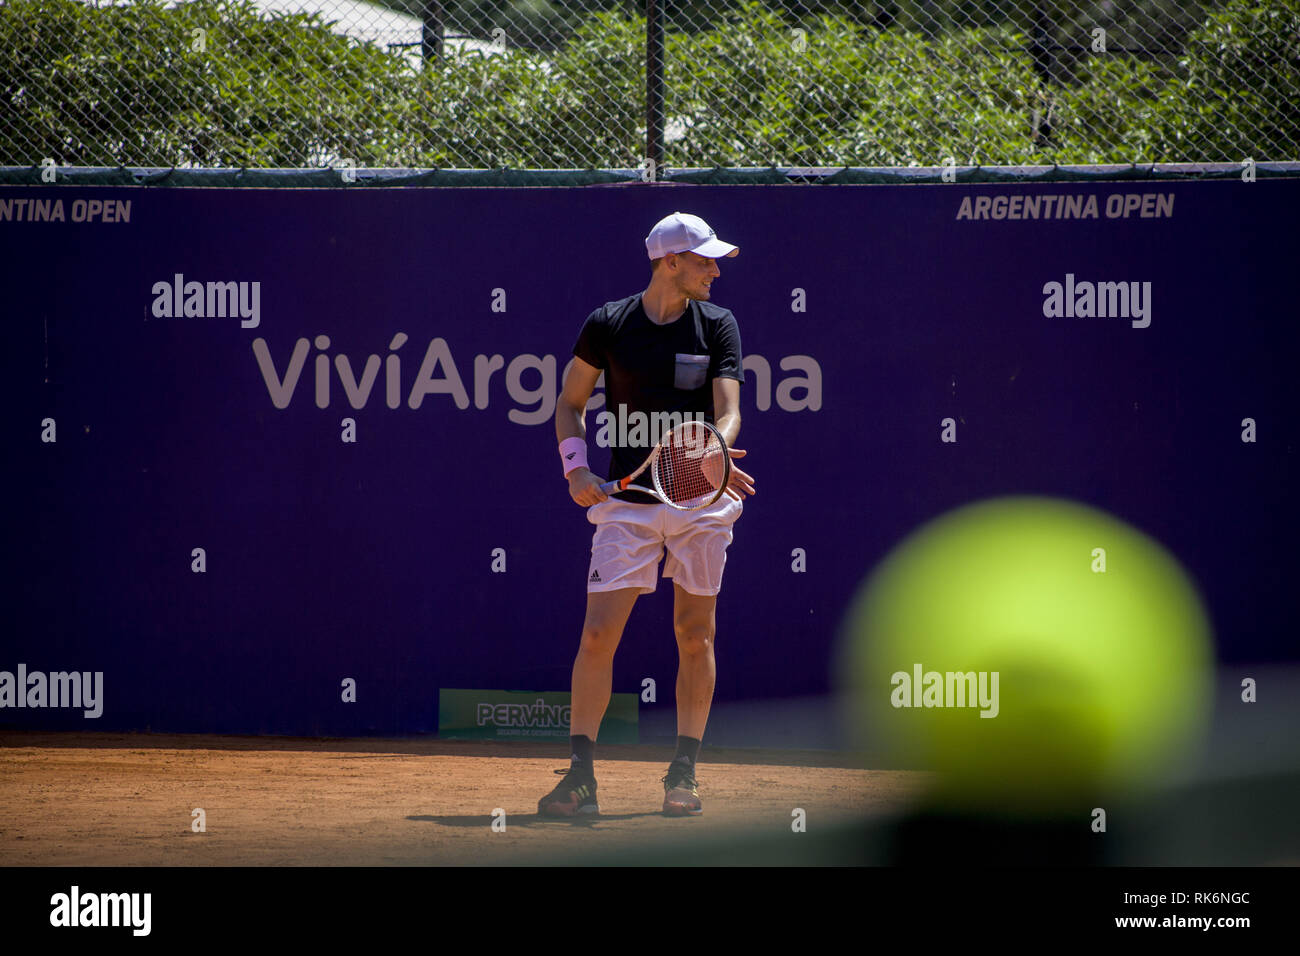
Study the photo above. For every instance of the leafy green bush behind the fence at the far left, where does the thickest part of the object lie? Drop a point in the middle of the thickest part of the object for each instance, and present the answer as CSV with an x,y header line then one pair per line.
x,y
124,84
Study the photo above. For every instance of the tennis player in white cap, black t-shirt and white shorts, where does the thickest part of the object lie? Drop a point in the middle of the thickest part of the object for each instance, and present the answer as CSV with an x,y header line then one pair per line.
x,y
665,352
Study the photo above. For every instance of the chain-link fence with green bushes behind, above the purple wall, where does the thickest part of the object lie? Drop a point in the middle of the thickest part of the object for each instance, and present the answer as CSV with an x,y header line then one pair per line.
x,y
647,84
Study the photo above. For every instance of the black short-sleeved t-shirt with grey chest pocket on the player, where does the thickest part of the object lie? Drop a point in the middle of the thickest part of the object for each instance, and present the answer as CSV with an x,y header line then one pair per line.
x,y
656,371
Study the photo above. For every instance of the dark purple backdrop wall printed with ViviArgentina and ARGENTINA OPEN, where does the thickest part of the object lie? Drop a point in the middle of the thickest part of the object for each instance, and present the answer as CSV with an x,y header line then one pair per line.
x,y
375,560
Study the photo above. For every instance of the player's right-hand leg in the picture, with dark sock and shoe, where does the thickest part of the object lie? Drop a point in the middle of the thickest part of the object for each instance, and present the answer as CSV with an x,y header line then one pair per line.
x,y
694,621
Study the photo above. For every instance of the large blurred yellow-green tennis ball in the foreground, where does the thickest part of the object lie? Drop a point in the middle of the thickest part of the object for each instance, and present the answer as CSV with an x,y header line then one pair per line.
x,y
1037,652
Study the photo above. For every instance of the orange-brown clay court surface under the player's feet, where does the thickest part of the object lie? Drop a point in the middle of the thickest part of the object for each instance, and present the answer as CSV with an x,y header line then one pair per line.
x,y
127,801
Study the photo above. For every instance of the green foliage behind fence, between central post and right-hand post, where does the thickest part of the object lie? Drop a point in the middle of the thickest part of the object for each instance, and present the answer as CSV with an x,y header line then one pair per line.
x,y
842,94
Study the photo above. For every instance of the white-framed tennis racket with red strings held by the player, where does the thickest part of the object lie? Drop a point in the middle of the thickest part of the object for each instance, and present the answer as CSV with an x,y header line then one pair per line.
x,y
690,469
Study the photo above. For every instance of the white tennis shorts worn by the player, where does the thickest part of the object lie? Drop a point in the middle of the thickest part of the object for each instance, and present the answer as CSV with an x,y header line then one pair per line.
x,y
631,539
